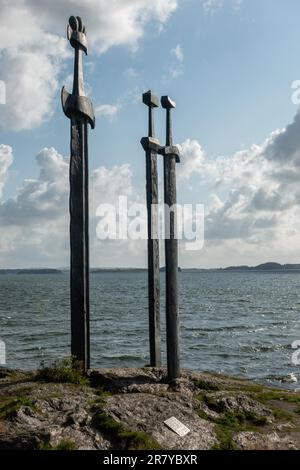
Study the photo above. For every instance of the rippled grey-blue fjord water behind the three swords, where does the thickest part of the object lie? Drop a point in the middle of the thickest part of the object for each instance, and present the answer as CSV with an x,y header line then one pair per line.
x,y
238,323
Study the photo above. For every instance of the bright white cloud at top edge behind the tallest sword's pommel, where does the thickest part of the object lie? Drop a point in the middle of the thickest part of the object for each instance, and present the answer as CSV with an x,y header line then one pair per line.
x,y
120,22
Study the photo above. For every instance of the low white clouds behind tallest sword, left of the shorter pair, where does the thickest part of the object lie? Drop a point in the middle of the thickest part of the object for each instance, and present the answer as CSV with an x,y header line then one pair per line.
x,y
35,222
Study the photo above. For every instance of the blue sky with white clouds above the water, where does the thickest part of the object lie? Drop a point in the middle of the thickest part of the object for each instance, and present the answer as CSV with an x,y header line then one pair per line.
x,y
229,65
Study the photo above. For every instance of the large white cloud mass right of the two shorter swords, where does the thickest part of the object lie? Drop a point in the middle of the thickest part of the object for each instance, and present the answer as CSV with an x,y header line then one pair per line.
x,y
254,194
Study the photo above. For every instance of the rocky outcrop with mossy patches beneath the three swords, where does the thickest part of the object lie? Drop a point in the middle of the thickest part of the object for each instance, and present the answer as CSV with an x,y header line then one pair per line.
x,y
126,409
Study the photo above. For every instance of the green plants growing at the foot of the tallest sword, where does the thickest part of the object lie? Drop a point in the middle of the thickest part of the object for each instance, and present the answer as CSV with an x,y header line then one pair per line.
x,y
65,370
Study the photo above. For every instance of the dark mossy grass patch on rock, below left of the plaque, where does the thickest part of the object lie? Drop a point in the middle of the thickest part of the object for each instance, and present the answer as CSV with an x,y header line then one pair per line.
x,y
123,437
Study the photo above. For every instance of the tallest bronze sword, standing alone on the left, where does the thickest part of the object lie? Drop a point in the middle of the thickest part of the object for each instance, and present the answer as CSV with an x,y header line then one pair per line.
x,y
79,109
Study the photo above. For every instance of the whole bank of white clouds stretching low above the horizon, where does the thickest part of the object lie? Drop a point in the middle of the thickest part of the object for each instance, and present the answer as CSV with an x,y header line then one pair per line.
x,y
252,206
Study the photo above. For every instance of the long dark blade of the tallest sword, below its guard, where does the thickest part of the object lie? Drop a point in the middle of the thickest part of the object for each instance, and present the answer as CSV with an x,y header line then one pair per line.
x,y
79,241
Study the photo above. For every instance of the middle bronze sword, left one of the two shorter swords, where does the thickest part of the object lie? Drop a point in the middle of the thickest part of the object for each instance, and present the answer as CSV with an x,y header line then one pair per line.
x,y
151,146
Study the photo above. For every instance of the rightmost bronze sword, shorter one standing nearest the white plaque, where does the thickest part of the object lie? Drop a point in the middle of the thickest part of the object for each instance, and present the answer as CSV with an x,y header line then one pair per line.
x,y
171,157
